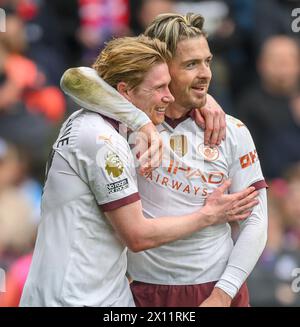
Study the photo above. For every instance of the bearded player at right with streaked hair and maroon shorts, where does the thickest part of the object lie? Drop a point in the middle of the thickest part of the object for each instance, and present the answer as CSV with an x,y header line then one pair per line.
x,y
205,268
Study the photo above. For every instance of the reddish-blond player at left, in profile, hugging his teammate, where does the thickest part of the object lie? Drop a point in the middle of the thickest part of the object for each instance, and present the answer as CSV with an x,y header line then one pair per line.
x,y
91,207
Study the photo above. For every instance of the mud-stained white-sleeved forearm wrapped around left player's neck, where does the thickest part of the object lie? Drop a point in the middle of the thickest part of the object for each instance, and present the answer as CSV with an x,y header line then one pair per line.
x,y
87,89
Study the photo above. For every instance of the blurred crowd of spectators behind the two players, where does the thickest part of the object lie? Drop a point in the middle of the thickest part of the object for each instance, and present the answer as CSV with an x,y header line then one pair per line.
x,y
256,77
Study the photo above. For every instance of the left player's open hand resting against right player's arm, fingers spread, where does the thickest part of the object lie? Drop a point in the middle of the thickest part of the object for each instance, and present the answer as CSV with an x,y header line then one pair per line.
x,y
221,208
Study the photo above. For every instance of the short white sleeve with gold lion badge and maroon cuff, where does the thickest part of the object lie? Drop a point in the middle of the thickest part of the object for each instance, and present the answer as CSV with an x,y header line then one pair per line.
x,y
106,164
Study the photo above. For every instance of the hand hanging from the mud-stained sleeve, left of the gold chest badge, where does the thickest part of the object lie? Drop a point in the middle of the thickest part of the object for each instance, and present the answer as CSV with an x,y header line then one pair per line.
x,y
149,146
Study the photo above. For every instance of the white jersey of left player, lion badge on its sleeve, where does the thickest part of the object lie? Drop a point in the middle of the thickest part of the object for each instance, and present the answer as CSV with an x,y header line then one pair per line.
x,y
78,258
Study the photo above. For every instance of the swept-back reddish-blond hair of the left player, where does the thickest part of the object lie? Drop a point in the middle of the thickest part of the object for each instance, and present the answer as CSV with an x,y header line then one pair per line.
x,y
127,59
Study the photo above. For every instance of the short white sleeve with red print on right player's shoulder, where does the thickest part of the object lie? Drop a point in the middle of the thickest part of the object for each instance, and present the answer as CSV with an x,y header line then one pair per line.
x,y
245,169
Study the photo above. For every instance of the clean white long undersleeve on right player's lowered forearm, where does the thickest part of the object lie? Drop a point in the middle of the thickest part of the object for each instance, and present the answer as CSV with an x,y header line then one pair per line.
x,y
247,249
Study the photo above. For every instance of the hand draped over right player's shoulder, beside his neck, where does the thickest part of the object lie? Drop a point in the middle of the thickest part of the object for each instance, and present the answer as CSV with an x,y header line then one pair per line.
x,y
211,118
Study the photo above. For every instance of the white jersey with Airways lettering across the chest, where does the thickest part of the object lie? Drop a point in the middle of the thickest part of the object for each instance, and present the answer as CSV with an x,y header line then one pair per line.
x,y
180,186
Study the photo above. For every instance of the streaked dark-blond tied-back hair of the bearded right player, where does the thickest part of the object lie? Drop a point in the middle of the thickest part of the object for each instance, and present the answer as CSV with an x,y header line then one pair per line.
x,y
172,28
